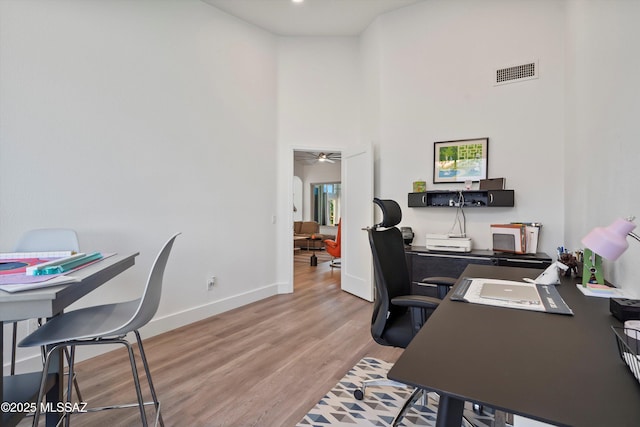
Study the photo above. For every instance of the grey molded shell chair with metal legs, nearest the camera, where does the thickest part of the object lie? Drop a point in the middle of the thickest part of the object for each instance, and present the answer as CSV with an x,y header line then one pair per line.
x,y
105,324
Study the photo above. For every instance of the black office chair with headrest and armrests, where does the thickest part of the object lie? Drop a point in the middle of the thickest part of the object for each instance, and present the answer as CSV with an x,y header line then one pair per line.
x,y
397,315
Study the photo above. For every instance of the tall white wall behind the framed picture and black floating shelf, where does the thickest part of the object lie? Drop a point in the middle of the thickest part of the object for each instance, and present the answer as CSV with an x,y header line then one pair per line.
x,y
437,62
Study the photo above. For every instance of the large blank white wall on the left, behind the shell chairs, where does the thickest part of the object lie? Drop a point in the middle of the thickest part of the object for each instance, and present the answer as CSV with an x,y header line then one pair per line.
x,y
128,121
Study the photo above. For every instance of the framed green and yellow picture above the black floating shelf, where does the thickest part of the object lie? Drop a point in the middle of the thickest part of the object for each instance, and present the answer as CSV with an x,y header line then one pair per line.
x,y
460,160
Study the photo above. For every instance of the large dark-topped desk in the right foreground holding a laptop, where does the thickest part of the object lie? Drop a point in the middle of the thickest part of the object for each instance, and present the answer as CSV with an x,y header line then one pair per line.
x,y
563,370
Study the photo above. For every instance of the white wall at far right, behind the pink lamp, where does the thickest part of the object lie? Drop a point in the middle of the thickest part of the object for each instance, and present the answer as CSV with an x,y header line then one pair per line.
x,y
603,139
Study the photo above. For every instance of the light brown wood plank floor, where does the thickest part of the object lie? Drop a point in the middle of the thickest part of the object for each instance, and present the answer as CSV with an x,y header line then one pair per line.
x,y
265,364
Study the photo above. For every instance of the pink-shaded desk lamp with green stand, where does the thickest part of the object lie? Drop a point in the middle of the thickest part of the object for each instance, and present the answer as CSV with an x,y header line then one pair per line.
x,y
609,242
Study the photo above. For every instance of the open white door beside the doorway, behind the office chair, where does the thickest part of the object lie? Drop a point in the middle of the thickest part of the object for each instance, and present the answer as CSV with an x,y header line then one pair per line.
x,y
357,212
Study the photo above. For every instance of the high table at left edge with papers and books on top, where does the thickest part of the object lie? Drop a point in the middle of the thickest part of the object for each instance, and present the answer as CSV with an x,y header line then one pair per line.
x,y
48,302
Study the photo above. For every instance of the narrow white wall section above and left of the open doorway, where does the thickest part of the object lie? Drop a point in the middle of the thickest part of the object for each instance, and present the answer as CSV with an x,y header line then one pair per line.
x,y
318,108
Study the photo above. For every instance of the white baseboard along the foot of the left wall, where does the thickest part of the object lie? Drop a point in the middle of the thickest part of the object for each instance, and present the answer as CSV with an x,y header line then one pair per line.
x,y
159,325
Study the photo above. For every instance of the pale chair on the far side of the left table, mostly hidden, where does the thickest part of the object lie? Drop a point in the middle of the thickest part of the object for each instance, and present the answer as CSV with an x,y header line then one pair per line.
x,y
44,240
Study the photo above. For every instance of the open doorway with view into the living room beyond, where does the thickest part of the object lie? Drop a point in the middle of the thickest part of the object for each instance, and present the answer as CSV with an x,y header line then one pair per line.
x,y
316,212
